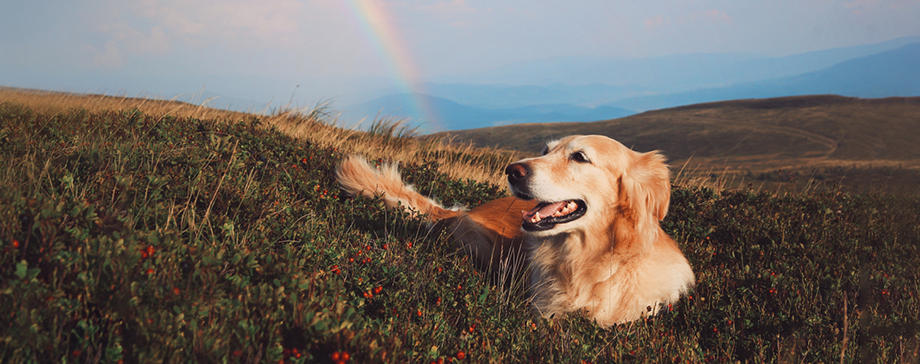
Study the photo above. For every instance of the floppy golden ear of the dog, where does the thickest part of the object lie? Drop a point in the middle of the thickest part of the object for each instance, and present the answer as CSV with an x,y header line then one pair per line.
x,y
645,188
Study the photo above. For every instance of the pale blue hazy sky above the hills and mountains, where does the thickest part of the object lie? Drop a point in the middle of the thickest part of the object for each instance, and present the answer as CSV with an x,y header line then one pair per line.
x,y
327,49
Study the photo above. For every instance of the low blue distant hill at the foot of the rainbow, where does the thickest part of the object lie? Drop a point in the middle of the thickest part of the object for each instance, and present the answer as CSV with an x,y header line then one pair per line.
x,y
452,115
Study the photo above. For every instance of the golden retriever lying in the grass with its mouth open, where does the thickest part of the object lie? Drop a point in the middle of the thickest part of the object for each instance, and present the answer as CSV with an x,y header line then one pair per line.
x,y
586,212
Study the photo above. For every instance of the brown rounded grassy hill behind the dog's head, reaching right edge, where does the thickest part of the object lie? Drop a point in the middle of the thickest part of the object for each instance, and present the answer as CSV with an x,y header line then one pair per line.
x,y
764,140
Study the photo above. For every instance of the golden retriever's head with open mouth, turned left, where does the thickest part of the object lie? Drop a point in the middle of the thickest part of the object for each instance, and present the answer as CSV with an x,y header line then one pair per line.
x,y
583,180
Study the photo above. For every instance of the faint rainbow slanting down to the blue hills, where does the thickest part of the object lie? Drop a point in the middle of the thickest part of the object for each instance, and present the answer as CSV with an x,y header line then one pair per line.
x,y
386,38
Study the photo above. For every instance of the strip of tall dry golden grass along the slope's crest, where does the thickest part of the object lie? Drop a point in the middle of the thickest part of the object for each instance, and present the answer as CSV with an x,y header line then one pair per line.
x,y
385,139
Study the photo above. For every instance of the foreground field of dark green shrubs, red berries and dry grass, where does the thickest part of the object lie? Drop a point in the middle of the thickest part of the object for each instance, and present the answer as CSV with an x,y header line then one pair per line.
x,y
142,236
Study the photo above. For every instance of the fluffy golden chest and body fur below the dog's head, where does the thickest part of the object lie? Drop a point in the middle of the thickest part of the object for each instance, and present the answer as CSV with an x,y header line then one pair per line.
x,y
610,286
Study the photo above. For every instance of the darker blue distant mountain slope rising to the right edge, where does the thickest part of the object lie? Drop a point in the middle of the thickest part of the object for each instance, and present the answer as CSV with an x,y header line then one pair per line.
x,y
890,73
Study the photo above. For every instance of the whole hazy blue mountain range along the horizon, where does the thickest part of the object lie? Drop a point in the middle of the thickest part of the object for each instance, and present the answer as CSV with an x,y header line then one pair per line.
x,y
617,88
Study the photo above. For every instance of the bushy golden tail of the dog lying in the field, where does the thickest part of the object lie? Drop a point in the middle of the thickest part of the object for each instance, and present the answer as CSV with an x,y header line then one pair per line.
x,y
359,178
